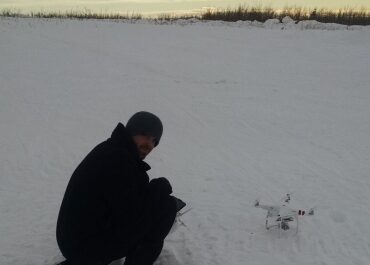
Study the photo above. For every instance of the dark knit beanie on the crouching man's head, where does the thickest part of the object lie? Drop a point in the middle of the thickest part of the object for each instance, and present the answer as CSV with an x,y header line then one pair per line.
x,y
145,123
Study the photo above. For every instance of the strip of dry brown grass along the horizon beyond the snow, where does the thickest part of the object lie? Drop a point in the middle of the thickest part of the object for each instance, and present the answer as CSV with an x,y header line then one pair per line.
x,y
344,16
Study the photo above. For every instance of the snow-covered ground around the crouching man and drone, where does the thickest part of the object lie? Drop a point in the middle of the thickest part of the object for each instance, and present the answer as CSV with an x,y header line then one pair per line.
x,y
250,111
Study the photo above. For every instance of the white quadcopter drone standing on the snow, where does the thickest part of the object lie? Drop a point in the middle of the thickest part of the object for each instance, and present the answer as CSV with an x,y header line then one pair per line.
x,y
280,215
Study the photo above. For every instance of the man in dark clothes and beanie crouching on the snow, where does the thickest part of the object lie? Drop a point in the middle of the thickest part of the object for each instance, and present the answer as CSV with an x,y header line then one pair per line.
x,y
110,209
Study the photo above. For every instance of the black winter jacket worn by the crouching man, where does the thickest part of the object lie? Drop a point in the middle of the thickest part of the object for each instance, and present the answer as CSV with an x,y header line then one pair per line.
x,y
107,196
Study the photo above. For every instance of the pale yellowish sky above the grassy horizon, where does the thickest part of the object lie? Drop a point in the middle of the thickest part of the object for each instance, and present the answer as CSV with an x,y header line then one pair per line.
x,y
158,6
